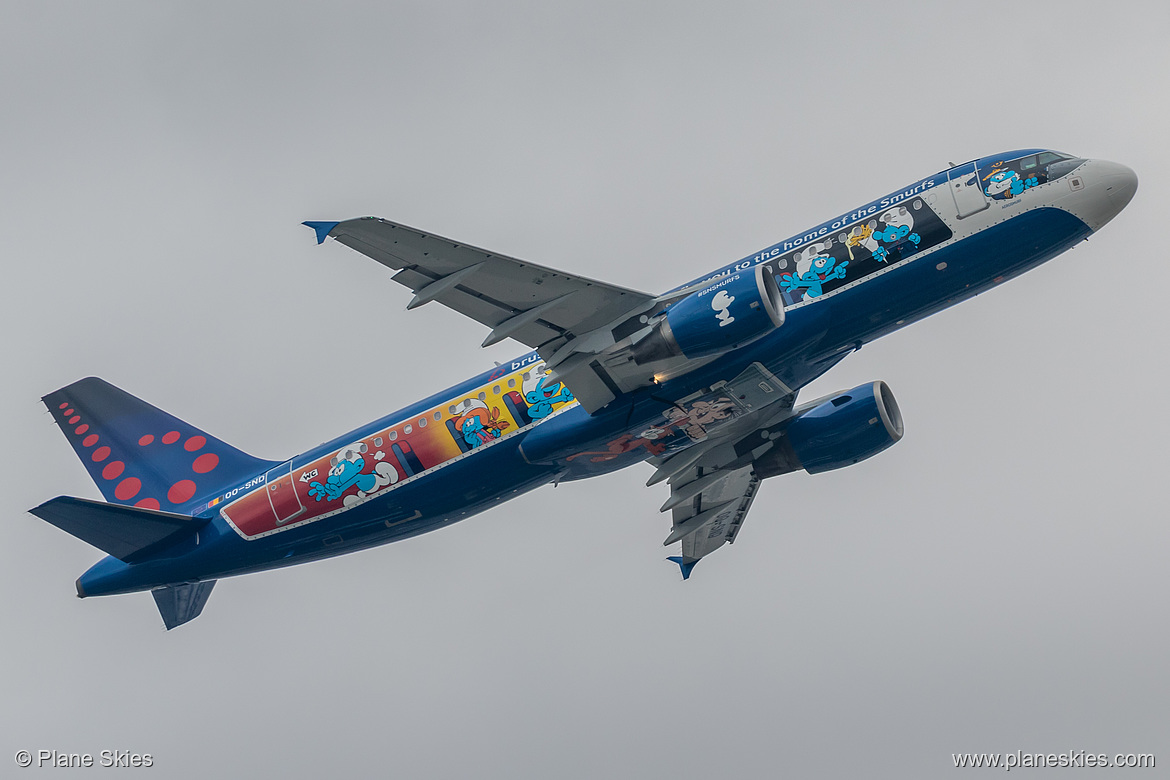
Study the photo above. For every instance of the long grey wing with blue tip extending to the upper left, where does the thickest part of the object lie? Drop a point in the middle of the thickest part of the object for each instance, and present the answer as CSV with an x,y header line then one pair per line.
x,y
552,312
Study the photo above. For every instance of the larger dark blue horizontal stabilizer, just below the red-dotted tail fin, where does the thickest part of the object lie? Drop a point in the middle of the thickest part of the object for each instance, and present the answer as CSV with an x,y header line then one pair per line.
x,y
126,533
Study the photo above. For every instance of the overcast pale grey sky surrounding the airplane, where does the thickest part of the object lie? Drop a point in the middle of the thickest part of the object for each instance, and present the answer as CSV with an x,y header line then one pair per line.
x,y
995,583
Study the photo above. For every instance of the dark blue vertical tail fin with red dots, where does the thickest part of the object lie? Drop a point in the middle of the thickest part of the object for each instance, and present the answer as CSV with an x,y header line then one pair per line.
x,y
139,454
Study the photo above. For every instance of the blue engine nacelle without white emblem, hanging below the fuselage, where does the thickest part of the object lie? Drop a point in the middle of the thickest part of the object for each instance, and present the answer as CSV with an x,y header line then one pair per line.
x,y
846,430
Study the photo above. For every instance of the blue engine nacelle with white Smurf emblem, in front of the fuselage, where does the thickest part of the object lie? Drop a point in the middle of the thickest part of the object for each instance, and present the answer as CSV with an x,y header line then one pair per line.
x,y
728,314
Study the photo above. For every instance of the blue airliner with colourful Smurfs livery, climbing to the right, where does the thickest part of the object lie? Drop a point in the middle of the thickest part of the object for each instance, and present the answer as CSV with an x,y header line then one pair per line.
x,y
700,382
